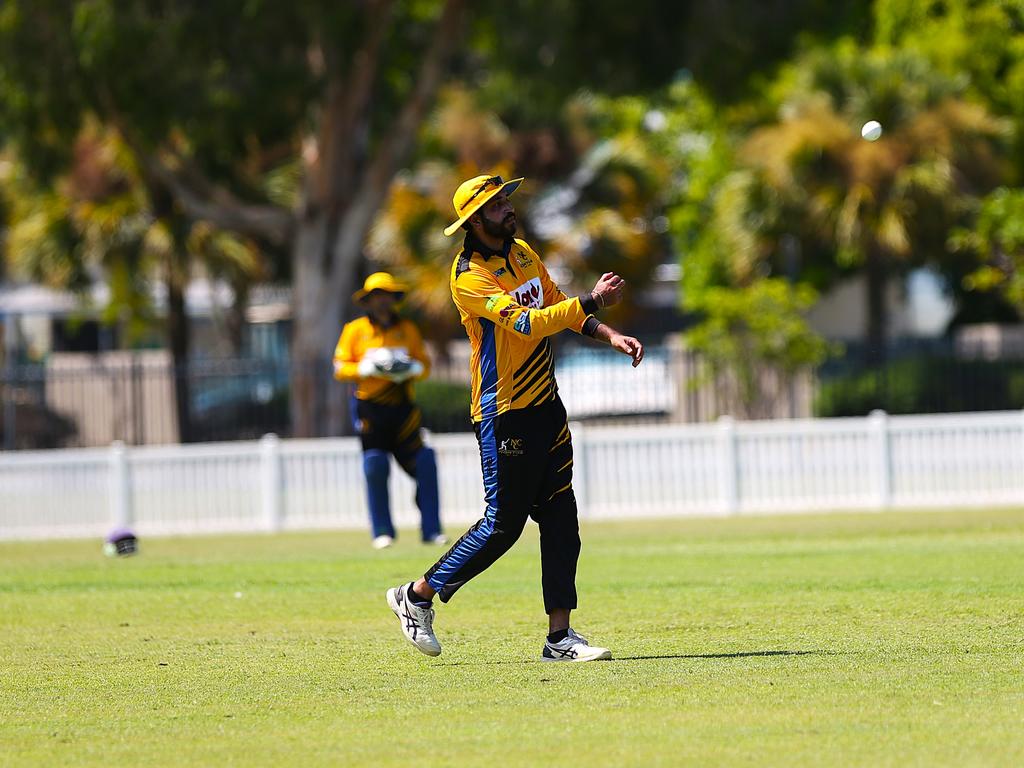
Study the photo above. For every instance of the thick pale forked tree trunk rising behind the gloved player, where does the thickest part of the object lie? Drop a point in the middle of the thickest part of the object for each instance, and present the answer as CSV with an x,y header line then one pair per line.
x,y
345,188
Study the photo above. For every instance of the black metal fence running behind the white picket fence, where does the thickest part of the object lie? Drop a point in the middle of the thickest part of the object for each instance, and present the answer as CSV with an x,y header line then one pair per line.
x,y
79,400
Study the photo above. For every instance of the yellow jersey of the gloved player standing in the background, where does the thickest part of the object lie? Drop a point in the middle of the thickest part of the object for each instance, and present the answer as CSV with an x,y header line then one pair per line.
x,y
362,335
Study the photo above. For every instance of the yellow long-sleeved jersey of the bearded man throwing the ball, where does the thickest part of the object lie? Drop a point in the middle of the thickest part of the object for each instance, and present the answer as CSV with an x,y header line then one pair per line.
x,y
509,307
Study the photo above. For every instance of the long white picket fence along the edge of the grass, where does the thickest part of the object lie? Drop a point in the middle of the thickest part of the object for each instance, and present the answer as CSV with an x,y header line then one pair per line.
x,y
726,468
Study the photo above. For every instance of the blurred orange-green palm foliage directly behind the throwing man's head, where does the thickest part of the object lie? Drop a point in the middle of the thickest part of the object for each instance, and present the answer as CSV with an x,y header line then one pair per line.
x,y
604,217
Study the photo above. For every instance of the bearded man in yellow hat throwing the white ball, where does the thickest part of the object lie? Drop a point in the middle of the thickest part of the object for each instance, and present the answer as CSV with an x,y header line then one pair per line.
x,y
510,308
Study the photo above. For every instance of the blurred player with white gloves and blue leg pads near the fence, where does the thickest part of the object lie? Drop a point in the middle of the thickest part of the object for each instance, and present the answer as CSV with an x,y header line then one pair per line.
x,y
385,355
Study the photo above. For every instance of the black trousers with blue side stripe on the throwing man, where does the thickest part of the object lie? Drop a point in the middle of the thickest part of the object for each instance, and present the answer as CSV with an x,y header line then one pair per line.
x,y
527,456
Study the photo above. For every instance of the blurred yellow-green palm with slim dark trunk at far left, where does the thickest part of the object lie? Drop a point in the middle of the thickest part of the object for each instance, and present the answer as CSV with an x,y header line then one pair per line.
x,y
101,224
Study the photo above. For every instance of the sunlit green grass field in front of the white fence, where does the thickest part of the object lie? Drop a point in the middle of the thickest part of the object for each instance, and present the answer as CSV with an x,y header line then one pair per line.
x,y
893,639
